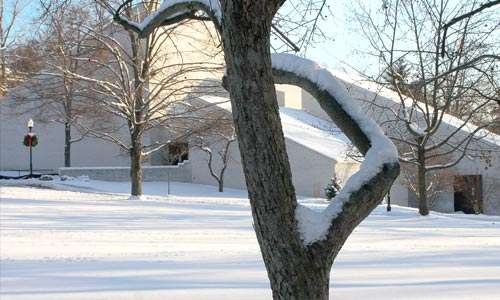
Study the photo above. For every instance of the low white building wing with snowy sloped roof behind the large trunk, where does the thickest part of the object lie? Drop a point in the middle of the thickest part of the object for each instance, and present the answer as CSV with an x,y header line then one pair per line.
x,y
316,152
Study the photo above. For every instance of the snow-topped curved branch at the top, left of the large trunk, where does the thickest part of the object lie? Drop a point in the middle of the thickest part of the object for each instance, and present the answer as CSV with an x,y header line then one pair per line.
x,y
171,11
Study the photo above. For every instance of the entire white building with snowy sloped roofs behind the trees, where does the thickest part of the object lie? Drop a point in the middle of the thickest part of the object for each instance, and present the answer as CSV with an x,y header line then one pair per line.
x,y
317,151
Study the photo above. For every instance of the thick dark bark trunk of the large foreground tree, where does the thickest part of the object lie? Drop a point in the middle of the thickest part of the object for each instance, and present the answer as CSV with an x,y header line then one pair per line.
x,y
293,271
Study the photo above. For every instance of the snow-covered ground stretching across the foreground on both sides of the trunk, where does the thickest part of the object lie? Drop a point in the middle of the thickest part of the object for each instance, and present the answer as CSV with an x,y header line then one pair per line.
x,y
87,240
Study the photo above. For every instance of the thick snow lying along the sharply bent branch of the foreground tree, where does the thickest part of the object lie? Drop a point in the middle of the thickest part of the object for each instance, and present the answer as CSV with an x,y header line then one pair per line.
x,y
313,226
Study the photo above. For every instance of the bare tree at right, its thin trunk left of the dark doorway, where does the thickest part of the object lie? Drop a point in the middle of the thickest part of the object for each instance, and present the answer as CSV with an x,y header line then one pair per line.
x,y
435,89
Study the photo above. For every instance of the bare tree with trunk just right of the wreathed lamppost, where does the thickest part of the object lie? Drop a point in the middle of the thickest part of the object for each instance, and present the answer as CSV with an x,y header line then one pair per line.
x,y
51,92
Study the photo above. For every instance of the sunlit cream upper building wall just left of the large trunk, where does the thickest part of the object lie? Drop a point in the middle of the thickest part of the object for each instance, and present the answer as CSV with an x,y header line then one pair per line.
x,y
180,70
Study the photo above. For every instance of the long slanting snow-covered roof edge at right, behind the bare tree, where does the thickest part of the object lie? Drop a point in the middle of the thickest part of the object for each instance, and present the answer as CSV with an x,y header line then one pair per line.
x,y
379,90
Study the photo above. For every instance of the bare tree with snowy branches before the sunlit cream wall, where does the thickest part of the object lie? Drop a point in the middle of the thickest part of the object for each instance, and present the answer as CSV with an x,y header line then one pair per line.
x,y
141,83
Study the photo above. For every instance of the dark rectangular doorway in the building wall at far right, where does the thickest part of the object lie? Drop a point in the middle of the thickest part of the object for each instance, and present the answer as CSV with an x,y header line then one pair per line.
x,y
468,196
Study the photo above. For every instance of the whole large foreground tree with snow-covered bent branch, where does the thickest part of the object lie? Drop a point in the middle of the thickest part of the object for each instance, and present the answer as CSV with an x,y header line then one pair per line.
x,y
298,262
